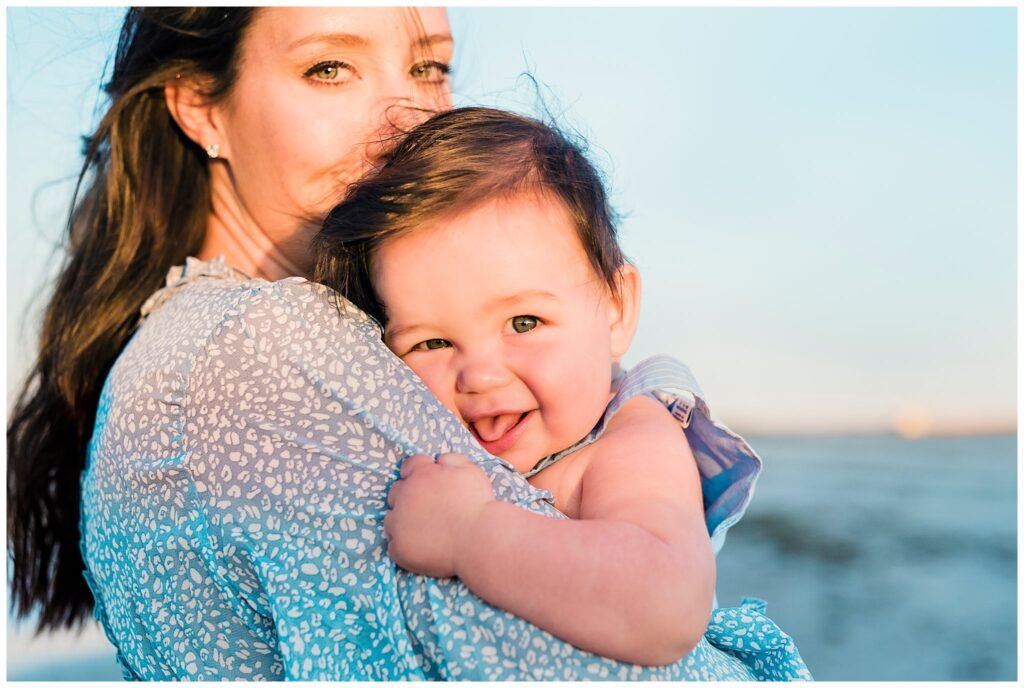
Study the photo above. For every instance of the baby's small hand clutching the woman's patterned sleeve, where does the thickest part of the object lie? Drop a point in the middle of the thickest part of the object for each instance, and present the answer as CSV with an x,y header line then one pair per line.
x,y
434,507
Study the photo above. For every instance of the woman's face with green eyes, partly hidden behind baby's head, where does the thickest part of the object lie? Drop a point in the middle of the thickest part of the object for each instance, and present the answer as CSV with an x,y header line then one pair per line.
x,y
318,89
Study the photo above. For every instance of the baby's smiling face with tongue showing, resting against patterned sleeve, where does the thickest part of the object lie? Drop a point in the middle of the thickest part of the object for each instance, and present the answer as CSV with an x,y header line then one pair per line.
x,y
498,310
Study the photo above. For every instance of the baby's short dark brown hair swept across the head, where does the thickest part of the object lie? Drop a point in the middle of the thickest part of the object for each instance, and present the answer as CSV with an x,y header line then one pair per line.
x,y
452,162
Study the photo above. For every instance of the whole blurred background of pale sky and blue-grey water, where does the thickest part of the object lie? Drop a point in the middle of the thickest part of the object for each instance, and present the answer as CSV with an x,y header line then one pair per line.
x,y
823,205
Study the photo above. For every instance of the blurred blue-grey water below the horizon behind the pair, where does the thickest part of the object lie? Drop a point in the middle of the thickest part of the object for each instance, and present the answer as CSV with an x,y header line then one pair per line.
x,y
884,558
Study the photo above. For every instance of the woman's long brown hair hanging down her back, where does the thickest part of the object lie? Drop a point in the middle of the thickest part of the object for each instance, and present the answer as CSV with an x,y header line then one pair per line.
x,y
141,207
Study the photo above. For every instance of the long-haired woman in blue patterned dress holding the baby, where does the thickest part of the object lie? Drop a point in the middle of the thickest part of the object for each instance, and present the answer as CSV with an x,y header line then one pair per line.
x,y
239,442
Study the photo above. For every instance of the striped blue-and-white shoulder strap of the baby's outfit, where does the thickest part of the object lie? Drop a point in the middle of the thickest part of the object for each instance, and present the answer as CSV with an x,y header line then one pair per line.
x,y
728,465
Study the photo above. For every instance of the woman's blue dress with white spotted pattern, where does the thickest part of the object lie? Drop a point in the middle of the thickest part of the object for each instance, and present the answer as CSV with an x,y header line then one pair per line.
x,y
233,501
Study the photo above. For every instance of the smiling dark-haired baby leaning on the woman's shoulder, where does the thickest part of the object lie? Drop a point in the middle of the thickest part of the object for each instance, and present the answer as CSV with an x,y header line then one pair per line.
x,y
487,250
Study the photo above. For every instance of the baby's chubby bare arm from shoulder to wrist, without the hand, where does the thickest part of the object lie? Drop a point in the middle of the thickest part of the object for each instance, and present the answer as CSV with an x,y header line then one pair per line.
x,y
634,578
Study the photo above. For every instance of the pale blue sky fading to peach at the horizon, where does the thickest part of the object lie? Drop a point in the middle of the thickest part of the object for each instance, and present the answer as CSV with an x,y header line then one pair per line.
x,y
822,201
